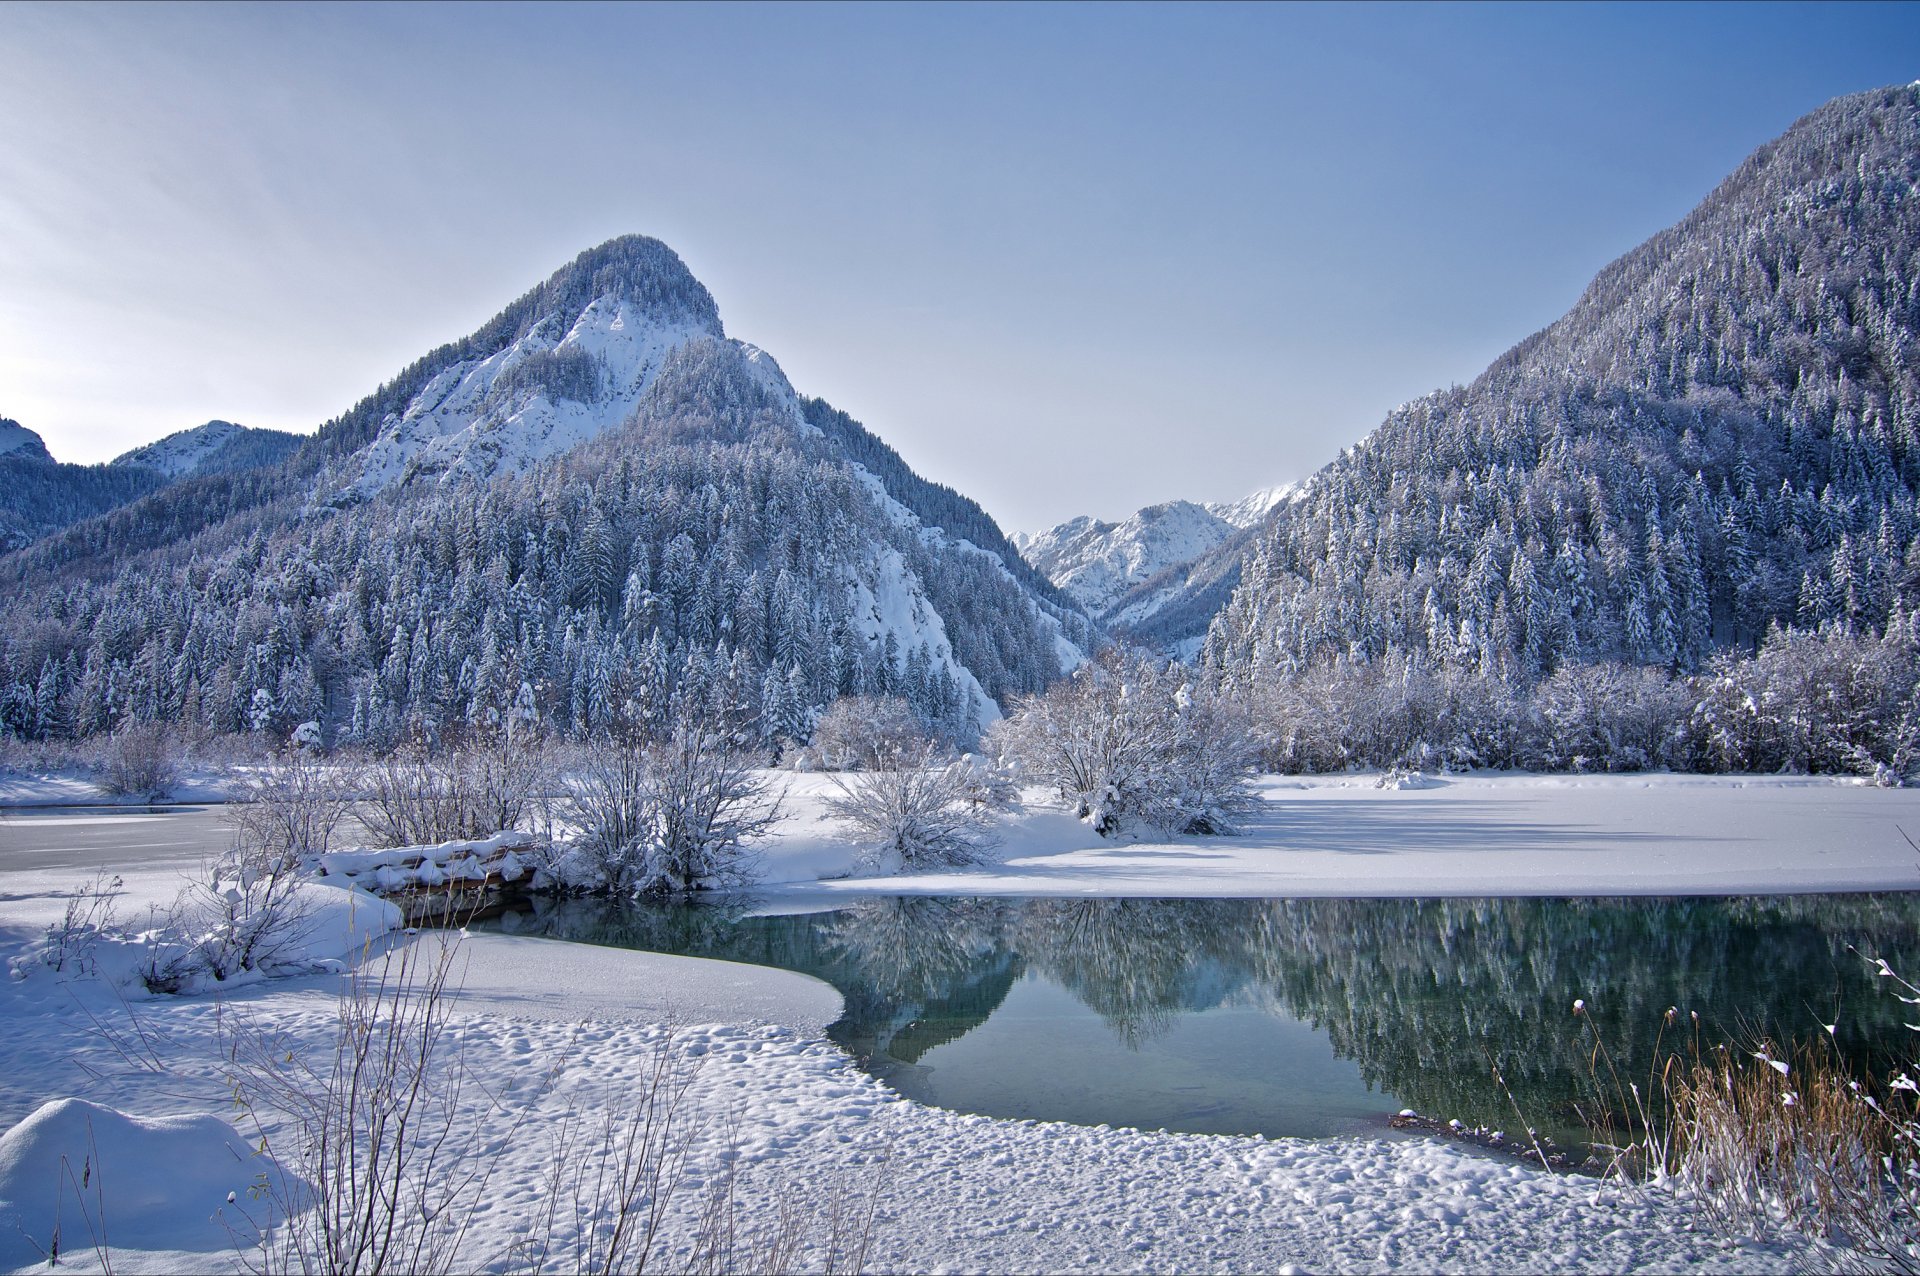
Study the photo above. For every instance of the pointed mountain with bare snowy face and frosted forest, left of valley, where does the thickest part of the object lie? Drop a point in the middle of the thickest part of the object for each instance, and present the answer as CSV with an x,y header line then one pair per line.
x,y
596,511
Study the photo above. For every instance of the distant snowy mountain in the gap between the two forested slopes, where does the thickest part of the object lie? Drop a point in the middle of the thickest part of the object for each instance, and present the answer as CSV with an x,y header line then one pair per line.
x,y
1136,577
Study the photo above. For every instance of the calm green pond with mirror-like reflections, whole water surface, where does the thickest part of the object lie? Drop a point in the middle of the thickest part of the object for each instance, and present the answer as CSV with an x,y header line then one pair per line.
x,y
1301,1018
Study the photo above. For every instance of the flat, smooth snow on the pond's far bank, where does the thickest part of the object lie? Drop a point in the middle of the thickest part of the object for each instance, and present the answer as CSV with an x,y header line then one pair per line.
x,y
1458,836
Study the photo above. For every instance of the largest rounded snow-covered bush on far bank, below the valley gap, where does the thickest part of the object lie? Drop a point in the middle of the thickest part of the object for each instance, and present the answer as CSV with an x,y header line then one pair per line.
x,y
1134,742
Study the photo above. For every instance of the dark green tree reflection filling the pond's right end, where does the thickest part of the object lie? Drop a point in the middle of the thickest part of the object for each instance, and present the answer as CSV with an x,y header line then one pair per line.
x,y
1426,993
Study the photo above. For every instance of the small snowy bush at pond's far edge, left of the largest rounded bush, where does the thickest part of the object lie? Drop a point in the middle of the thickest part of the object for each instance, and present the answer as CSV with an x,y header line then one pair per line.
x,y
917,815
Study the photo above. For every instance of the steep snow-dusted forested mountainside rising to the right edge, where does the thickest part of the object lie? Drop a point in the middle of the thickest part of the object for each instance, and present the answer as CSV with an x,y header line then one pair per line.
x,y
1721,437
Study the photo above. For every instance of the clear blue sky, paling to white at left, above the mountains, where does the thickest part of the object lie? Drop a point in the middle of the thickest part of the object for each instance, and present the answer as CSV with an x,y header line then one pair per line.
x,y
1070,260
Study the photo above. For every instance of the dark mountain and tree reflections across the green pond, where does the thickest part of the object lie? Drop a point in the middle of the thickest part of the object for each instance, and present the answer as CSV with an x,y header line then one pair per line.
x,y
1424,995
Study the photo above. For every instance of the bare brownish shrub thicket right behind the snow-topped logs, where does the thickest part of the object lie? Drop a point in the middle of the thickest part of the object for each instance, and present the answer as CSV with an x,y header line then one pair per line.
x,y
420,797
